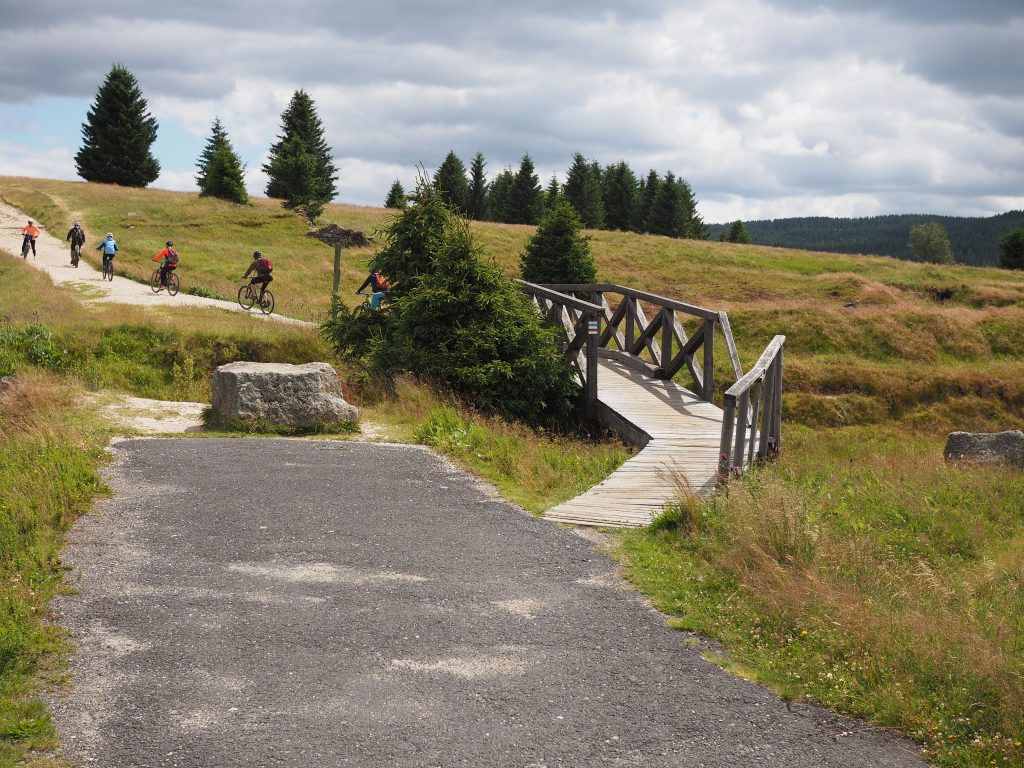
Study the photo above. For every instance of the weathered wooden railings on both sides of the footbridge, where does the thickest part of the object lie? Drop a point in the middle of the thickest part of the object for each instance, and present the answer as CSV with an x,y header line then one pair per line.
x,y
592,328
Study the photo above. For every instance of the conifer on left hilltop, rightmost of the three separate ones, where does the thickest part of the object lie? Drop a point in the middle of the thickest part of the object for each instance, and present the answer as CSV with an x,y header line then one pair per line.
x,y
301,168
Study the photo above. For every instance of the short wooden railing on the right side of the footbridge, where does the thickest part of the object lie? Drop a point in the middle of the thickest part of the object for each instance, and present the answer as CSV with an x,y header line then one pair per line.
x,y
752,419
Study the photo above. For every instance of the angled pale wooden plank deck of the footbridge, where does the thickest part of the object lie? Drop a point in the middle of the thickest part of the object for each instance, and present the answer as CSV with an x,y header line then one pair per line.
x,y
686,435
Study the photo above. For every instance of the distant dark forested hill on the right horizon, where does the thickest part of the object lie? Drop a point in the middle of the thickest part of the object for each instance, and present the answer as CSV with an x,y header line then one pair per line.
x,y
975,241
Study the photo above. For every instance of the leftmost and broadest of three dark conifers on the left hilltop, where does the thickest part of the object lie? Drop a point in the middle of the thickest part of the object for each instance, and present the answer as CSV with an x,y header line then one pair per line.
x,y
118,135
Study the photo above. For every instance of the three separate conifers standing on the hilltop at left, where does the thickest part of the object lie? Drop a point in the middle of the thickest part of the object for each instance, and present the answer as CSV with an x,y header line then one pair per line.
x,y
119,133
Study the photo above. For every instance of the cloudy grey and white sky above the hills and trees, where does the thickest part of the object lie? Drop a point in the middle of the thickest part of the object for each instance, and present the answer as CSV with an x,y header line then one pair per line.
x,y
769,108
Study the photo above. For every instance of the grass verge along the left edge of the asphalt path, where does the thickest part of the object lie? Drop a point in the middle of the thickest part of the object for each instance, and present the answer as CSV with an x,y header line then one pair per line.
x,y
50,453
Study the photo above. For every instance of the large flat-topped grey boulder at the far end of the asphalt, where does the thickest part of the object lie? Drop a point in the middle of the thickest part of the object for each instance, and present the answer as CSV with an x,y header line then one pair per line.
x,y
297,397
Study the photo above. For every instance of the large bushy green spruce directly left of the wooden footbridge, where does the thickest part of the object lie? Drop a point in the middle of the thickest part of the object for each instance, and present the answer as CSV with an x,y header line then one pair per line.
x,y
454,319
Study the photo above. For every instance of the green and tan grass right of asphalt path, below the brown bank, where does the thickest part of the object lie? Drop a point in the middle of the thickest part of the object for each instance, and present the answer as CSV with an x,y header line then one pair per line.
x,y
864,573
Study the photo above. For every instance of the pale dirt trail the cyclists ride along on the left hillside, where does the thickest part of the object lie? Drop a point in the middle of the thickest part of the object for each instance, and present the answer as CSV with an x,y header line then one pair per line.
x,y
54,258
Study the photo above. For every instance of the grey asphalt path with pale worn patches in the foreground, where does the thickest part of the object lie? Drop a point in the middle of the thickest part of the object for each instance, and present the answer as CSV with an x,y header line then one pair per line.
x,y
260,603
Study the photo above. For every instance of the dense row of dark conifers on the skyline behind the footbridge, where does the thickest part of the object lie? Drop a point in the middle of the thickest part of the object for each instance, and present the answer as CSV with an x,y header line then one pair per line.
x,y
605,198
